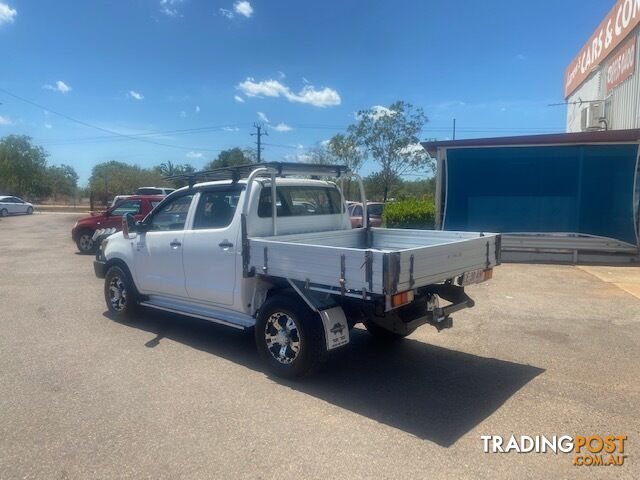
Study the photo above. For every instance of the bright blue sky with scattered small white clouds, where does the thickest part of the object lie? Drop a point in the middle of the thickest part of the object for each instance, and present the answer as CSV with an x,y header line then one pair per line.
x,y
143,66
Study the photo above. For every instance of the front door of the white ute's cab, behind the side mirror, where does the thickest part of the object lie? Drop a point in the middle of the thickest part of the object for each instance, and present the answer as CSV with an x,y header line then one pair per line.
x,y
158,250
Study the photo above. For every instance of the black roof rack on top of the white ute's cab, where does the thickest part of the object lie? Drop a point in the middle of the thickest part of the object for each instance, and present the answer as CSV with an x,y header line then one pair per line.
x,y
279,168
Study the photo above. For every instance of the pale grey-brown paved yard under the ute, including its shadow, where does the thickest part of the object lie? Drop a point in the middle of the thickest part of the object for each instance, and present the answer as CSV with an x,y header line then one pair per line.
x,y
547,350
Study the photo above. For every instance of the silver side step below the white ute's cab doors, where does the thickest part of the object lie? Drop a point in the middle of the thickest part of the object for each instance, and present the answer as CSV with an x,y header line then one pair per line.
x,y
224,317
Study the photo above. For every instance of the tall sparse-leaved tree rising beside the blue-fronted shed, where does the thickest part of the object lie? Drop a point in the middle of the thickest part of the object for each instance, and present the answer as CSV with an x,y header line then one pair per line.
x,y
390,138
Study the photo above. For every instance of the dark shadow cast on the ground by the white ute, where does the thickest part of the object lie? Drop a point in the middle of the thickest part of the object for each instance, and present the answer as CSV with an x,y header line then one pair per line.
x,y
431,392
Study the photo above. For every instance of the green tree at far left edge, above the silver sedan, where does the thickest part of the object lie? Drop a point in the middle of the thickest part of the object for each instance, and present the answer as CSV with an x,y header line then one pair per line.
x,y
22,167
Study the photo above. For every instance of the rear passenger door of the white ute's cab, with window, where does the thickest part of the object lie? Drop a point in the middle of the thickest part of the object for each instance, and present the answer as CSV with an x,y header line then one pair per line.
x,y
212,246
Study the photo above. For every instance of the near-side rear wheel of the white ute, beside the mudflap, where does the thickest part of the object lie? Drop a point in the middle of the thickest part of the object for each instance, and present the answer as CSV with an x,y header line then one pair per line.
x,y
289,337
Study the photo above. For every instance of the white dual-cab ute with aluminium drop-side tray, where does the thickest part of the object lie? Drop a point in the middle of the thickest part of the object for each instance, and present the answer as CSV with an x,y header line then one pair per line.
x,y
260,247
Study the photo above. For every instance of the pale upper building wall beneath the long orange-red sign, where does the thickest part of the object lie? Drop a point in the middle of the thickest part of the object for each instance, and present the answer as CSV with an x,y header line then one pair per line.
x,y
622,103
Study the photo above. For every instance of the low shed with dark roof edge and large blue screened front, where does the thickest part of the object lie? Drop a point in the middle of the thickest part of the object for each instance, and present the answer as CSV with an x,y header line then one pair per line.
x,y
570,197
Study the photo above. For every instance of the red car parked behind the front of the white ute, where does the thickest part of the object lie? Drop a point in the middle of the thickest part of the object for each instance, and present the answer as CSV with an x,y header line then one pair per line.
x,y
83,231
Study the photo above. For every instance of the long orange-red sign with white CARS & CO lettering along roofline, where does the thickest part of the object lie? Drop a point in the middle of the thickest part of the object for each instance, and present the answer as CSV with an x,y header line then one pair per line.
x,y
620,21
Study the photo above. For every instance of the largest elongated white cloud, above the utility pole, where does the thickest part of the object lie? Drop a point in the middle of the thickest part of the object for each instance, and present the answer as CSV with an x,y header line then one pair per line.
x,y
325,97
